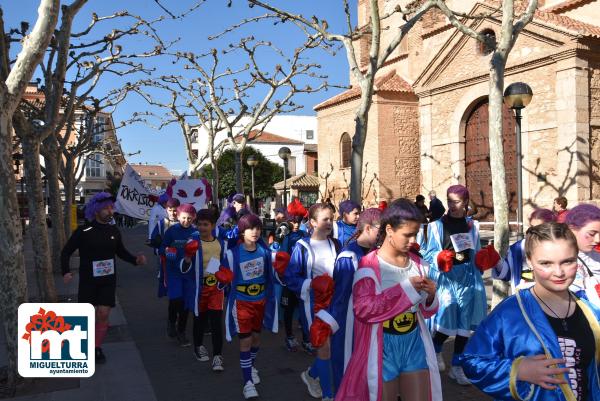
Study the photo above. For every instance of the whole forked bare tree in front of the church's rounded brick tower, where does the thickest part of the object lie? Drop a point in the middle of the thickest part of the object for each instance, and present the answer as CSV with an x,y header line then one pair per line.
x,y
363,73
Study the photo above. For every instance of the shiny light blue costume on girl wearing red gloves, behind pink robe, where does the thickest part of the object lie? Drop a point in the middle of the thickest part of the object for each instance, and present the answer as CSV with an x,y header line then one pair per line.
x,y
461,293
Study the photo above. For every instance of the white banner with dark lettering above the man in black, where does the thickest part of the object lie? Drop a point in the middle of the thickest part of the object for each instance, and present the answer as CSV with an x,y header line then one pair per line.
x,y
134,199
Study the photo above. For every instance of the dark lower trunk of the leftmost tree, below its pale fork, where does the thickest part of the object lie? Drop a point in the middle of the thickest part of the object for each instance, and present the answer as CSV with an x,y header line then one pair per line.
x,y
13,281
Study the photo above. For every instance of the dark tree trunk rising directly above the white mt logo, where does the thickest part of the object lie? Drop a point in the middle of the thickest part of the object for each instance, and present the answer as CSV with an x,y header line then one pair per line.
x,y
37,219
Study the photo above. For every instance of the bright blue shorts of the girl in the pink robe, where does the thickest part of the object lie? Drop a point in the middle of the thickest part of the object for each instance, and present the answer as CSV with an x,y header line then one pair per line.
x,y
402,354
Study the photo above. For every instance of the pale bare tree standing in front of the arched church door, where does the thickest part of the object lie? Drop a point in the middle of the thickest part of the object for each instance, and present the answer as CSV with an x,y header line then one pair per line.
x,y
511,27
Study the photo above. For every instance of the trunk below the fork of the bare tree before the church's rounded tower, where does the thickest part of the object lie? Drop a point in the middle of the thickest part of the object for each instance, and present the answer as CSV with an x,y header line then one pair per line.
x,y
358,145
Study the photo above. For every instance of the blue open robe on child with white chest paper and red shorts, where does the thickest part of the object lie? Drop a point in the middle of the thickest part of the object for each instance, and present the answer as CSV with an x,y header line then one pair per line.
x,y
232,259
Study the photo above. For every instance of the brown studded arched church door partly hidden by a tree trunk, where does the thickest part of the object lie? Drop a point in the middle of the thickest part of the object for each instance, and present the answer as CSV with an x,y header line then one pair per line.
x,y
477,160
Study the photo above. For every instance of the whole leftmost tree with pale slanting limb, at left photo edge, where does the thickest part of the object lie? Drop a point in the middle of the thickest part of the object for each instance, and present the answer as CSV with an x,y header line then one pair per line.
x,y
14,79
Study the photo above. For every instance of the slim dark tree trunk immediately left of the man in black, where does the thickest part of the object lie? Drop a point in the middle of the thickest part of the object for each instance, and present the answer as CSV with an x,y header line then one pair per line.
x,y
54,201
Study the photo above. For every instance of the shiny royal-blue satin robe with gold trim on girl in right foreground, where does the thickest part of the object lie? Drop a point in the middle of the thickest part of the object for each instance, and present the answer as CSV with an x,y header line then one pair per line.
x,y
518,328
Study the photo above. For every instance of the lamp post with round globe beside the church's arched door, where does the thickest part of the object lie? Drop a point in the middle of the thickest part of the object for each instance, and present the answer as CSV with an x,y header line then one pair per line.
x,y
517,96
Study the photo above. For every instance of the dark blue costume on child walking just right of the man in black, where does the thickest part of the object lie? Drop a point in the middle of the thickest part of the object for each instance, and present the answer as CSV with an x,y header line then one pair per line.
x,y
180,284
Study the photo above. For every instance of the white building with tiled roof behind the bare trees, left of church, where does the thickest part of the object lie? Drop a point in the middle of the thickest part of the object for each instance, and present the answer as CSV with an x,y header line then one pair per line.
x,y
295,132
